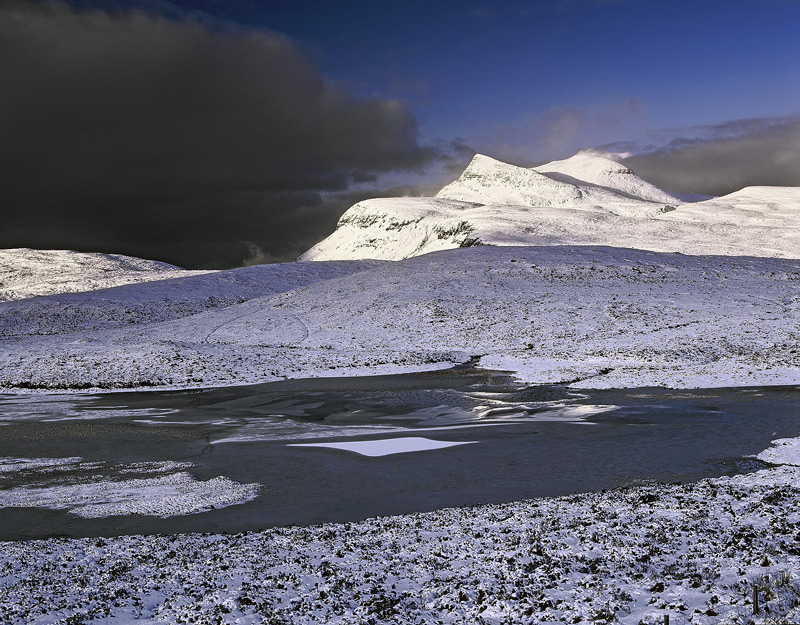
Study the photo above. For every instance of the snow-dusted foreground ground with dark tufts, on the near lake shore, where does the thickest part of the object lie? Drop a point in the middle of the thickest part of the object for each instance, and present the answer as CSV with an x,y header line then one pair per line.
x,y
631,555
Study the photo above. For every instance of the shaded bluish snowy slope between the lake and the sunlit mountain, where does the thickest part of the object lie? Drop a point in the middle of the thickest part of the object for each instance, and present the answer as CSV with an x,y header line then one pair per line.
x,y
590,316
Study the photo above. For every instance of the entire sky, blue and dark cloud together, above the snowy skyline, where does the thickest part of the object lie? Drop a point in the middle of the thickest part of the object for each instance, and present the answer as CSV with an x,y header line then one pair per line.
x,y
212,133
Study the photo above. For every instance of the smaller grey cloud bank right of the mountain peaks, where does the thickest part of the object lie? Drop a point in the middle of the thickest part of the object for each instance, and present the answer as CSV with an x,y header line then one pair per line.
x,y
720,159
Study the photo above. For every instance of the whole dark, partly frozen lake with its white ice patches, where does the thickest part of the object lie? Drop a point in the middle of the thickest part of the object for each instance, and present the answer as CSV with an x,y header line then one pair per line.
x,y
309,451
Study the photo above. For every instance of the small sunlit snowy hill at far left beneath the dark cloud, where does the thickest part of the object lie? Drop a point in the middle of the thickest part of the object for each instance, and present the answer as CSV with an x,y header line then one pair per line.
x,y
27,273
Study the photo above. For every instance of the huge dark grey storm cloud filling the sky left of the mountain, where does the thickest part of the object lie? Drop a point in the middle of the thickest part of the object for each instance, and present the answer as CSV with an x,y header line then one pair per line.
x,y
177,139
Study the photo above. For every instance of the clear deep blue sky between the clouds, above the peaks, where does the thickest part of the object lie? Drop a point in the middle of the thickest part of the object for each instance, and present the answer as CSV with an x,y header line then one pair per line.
x,y
471,69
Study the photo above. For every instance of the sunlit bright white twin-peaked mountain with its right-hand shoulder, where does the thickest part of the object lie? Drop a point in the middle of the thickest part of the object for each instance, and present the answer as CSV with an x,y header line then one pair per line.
x,y
585,200
